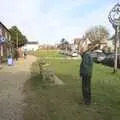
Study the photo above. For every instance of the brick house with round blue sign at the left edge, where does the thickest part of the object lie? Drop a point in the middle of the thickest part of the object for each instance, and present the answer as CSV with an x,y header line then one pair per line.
x,y
4,39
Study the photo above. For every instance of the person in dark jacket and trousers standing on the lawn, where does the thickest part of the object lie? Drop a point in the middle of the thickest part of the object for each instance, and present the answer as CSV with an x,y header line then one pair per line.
x,y
86,75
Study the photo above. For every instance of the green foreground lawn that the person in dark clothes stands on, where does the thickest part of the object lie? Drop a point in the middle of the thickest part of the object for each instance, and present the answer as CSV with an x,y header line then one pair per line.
x,y
64,102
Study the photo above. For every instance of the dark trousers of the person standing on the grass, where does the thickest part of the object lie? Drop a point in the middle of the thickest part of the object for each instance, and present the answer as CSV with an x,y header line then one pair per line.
x,y
86,88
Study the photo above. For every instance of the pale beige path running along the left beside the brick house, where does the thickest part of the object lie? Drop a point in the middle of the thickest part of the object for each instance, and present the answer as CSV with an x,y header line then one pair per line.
x,y
12,81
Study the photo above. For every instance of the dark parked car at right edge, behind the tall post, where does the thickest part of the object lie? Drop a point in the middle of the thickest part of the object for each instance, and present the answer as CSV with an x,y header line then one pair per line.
x,y
109,60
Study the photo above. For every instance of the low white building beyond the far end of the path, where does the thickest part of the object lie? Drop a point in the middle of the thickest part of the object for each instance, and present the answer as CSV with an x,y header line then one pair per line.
x,y
31,46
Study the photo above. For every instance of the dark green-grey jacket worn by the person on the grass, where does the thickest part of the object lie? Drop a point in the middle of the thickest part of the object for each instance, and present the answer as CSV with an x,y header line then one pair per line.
x,y
86,65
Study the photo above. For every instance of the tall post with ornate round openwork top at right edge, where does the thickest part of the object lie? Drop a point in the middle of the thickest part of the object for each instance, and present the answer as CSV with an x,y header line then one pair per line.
x,y
114,19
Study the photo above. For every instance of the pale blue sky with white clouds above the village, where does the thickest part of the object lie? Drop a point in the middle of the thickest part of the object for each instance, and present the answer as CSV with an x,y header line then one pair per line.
x,y
48,21
